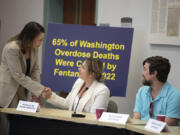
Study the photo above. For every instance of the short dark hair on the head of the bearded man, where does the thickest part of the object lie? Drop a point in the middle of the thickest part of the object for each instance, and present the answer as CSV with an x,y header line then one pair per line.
x,y
159,64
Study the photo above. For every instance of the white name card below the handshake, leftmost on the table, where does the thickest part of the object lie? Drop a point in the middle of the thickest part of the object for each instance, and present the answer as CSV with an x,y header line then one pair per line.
x,y
27,106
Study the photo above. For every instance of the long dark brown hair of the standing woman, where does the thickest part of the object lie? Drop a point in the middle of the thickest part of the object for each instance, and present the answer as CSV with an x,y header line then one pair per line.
x,y
26,37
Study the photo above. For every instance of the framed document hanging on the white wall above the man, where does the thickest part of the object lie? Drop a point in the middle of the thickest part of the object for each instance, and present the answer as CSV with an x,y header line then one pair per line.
x,y
165,22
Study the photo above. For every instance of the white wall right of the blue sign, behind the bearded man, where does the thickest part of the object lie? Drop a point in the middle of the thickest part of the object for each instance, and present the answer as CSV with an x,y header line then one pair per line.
x,y
111,12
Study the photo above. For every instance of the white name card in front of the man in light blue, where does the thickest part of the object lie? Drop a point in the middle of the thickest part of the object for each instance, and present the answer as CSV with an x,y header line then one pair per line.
x,y
156,126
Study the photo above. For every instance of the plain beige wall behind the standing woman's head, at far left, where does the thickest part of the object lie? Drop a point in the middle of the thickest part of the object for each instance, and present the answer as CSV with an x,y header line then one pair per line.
x,y
14,14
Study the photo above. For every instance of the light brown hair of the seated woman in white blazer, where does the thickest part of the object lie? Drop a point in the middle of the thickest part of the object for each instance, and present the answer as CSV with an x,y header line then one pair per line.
x,y
95,66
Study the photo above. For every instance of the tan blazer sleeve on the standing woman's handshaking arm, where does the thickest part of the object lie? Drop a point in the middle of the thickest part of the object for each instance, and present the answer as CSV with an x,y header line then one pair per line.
x,y
12,56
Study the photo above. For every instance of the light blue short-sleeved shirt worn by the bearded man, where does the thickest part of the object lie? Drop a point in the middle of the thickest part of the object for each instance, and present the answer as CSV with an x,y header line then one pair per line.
x,y
166,103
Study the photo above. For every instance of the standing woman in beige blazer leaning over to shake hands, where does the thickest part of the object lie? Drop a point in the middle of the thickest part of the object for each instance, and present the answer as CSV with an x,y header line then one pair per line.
x,y
19,69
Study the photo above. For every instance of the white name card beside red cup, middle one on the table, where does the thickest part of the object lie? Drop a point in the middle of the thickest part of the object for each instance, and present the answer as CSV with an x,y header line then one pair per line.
x,y
114,118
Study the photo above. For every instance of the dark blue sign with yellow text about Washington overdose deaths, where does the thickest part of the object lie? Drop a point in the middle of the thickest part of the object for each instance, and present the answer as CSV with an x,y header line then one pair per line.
x,y
68,45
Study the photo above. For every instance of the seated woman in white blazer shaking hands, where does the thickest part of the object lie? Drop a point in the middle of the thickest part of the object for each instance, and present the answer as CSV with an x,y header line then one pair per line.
x,y
88,92
